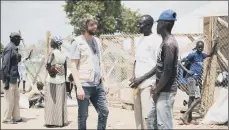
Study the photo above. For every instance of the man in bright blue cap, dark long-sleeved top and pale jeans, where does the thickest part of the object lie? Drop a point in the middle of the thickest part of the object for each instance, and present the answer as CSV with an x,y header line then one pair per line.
x,y
163,93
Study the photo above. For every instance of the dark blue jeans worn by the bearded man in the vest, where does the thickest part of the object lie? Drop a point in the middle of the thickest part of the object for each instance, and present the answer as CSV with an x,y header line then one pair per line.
x,y
97,96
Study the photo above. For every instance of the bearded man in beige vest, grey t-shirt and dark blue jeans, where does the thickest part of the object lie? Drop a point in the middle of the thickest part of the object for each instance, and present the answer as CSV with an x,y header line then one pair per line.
x,y
85,55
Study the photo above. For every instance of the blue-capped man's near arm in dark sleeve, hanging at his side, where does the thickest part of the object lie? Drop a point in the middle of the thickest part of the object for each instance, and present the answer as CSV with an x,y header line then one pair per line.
x,y
169,56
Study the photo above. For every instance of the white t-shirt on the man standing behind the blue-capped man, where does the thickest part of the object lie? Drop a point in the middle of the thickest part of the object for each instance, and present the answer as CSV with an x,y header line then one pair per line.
x,y
146,57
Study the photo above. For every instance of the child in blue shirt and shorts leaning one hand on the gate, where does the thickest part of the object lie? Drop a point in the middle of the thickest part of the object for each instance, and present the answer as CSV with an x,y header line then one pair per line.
x,y
194,74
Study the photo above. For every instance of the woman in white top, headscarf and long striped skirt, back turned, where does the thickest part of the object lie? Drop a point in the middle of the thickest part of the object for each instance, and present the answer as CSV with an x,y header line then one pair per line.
x,y
55,94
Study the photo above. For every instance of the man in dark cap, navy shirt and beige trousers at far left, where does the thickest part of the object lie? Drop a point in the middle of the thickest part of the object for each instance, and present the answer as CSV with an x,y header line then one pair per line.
x,y
10,76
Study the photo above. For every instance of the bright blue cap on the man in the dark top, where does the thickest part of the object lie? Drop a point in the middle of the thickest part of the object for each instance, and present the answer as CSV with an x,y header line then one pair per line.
x,y
168,15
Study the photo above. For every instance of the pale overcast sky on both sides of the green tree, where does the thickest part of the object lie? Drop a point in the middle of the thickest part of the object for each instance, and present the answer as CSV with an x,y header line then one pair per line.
x,y
35,18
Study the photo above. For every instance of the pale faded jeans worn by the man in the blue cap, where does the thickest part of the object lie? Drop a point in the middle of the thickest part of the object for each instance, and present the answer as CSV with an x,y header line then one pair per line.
x,y
161,113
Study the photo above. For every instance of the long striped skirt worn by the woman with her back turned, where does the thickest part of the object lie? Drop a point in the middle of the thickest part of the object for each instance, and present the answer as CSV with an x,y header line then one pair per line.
x,y
56,105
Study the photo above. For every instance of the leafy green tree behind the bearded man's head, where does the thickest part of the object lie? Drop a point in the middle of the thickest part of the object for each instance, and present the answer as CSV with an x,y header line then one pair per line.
x,y
111,15
